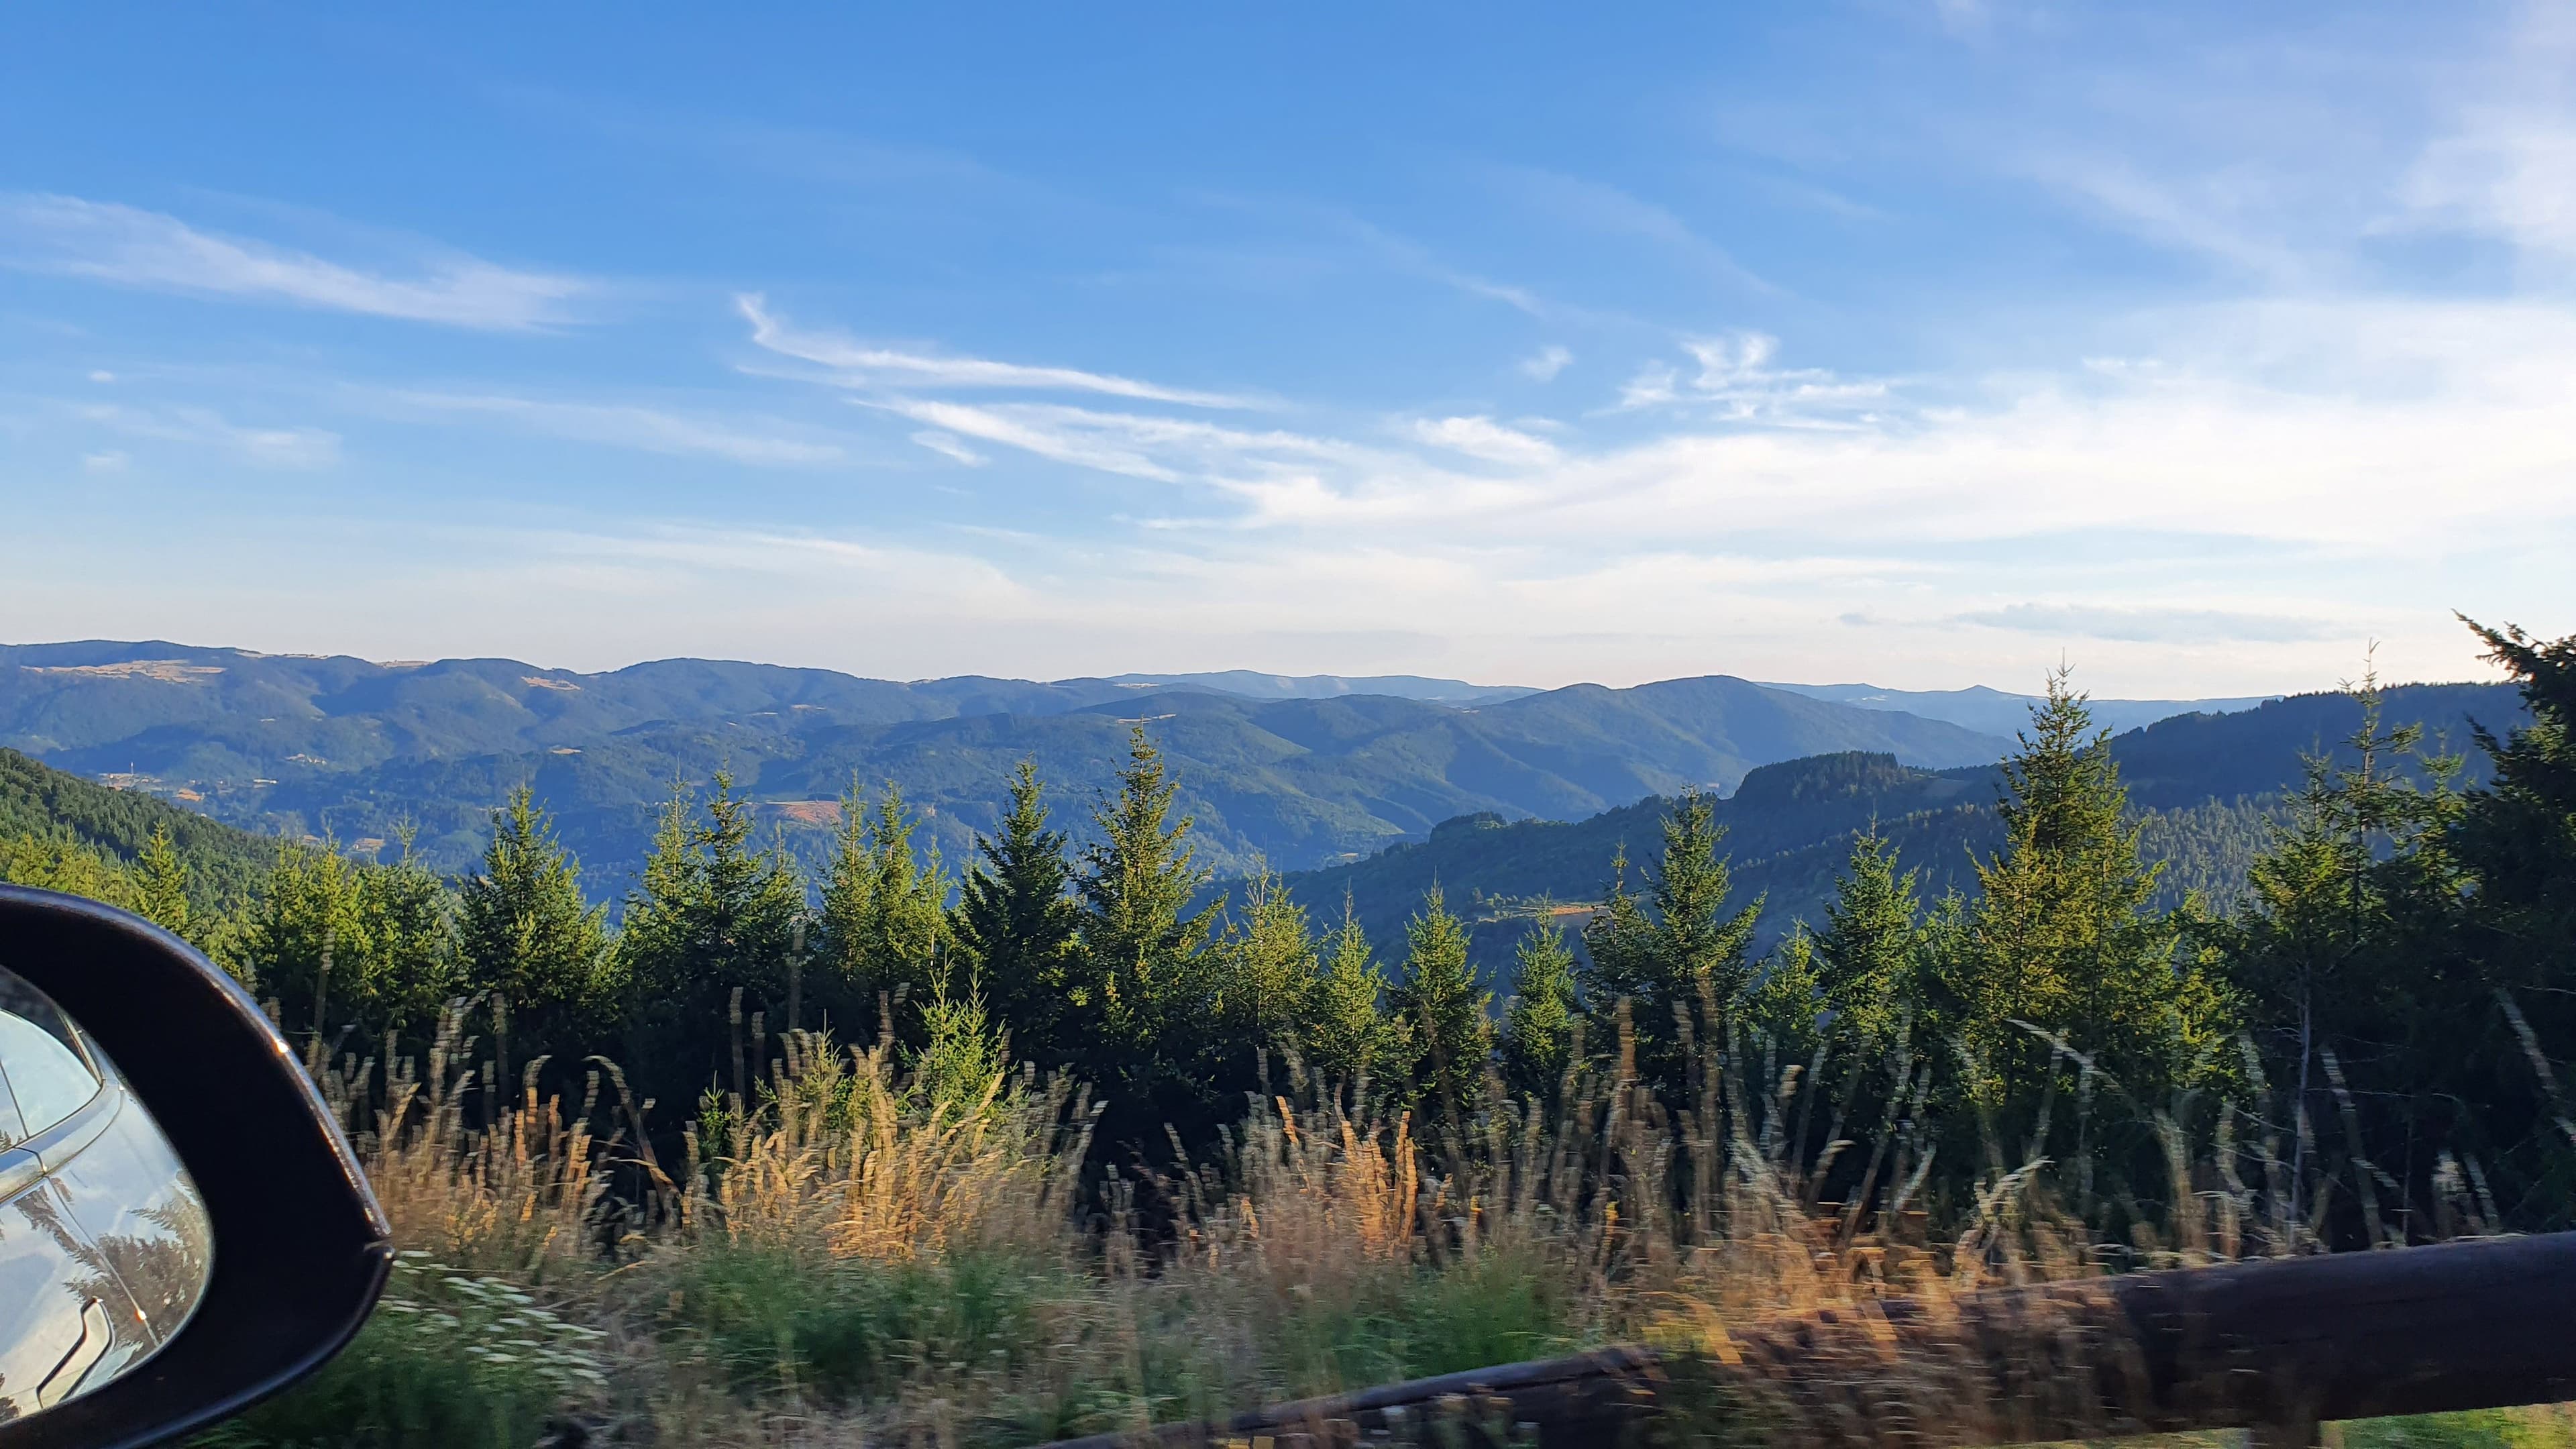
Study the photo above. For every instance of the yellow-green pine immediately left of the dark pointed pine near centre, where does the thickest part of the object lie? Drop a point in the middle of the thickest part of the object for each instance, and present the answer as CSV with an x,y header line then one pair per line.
x,y
885,914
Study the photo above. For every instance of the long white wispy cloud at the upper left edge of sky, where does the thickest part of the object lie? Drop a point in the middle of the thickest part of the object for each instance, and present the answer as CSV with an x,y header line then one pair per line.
x,y
125,246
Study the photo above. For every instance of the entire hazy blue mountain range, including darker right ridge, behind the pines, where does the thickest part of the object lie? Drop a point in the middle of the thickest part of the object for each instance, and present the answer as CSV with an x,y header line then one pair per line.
x,y
1506,798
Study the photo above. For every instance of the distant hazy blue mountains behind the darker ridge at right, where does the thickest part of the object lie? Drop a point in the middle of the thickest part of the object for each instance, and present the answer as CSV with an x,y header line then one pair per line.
x,y
1307,775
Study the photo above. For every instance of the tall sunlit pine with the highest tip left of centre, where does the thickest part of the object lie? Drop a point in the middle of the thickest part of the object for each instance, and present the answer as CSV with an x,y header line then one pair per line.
x,y
1145,950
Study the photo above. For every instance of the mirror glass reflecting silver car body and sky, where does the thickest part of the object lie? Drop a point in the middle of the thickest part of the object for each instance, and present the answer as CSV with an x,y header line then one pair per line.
x,y
104,1241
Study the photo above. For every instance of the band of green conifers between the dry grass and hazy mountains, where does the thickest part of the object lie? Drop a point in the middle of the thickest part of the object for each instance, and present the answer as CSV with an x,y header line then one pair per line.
x,y
2394,973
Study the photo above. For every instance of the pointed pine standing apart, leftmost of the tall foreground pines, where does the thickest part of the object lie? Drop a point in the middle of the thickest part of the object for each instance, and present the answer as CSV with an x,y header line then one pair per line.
x,y
527,937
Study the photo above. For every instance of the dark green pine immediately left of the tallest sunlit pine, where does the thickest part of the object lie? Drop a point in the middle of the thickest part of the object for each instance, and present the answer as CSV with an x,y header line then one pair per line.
x,y
1016,924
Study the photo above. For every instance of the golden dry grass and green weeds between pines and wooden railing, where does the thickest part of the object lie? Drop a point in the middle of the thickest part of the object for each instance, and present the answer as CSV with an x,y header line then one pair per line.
x,y
872,1257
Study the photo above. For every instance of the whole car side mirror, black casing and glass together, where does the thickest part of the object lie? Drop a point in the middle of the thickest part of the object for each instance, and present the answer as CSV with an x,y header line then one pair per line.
x,y
182,1226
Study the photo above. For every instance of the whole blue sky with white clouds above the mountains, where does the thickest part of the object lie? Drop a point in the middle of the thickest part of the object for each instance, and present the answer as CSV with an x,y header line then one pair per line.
x,y
1902,342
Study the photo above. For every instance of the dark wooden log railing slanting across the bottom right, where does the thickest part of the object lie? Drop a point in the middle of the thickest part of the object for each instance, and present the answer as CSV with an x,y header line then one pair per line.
x,y
2273,1347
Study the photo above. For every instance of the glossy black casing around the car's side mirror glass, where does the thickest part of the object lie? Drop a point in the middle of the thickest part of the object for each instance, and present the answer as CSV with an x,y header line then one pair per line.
x,y
300,1244
